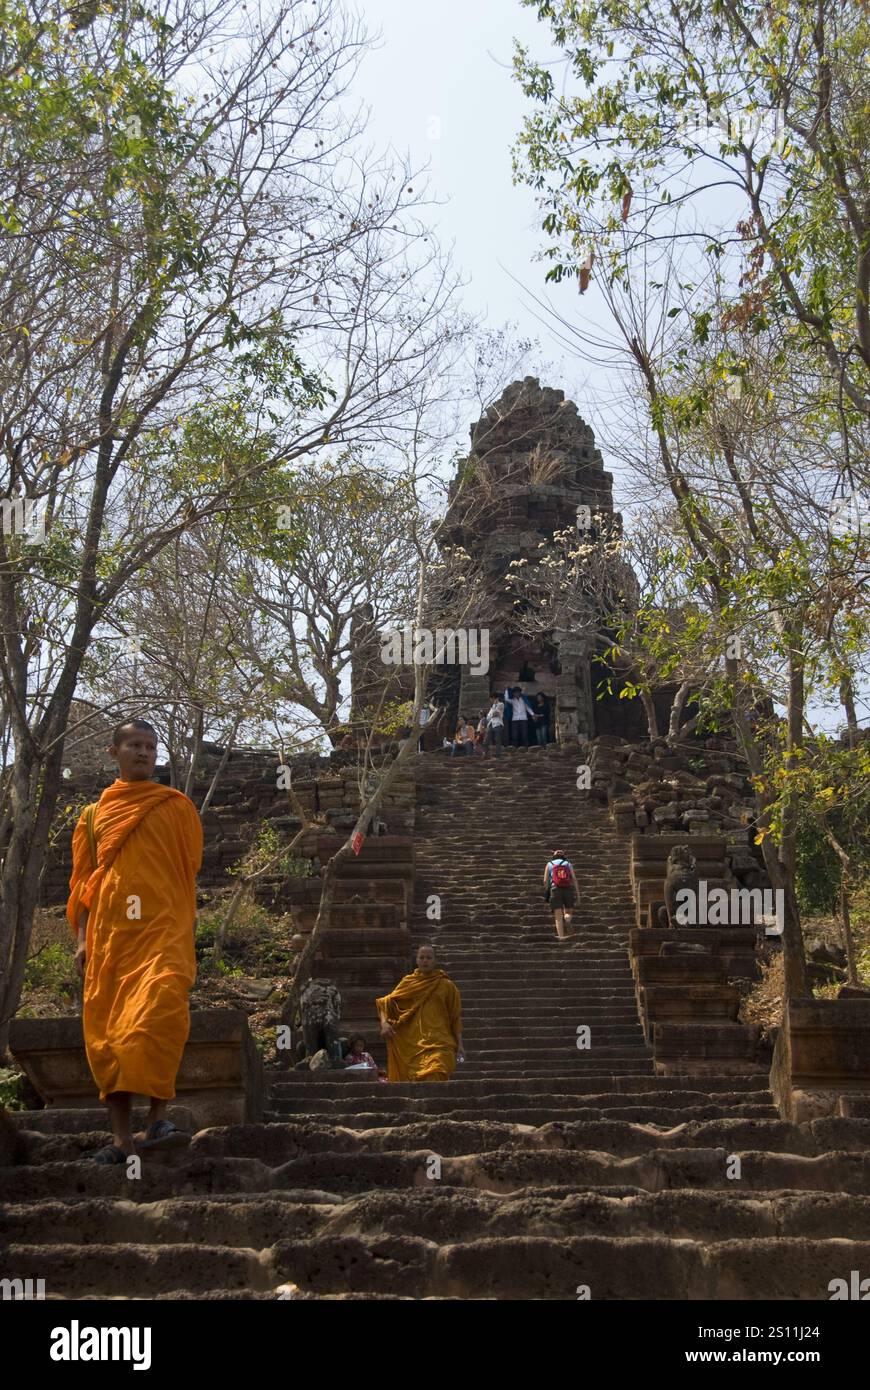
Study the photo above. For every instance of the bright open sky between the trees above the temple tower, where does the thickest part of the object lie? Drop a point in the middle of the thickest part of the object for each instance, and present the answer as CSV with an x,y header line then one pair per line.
x,y
440,88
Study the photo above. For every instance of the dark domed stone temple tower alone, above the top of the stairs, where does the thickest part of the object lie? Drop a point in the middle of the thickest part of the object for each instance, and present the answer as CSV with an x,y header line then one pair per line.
x,y
532,466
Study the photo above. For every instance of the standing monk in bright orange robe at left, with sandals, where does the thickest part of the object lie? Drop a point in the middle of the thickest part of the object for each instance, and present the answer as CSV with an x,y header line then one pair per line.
x,y
136,917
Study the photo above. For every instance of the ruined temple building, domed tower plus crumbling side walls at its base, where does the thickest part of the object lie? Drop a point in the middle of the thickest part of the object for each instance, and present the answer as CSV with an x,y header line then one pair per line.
x,y
532,466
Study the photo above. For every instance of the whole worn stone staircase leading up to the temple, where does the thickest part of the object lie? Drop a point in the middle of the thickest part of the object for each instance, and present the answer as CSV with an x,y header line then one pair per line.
x,y
543,1171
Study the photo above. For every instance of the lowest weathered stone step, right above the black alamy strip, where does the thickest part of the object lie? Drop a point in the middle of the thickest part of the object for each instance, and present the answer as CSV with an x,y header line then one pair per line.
x,y
508,1267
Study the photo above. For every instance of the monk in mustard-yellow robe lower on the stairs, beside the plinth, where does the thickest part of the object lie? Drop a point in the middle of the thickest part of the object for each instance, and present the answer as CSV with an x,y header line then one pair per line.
x,y
422,1022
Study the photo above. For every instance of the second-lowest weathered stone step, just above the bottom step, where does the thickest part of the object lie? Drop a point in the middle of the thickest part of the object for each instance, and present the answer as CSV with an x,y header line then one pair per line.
x,y
243,1221
